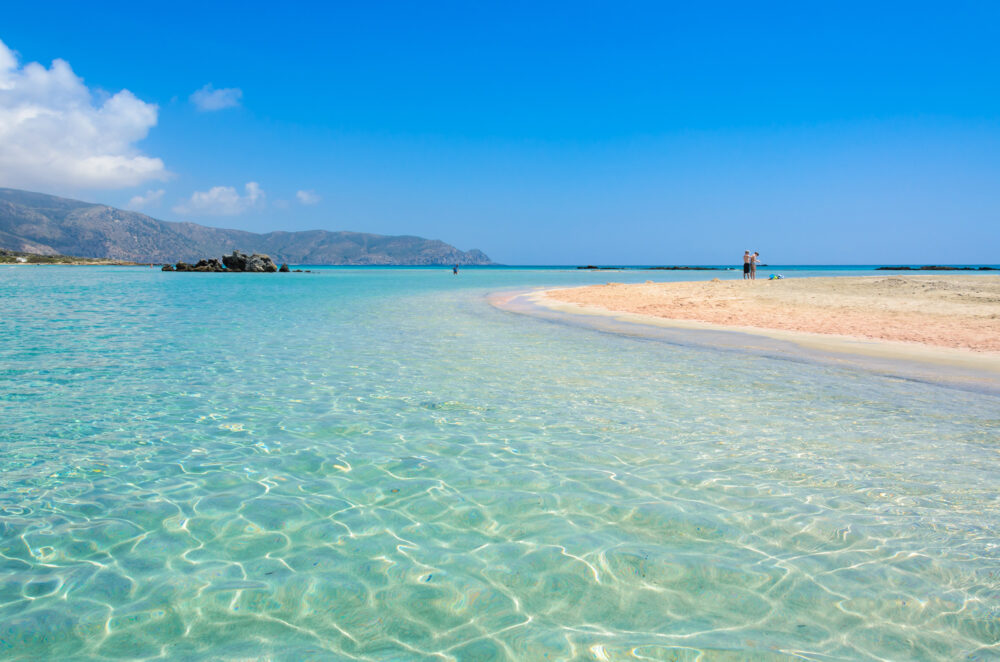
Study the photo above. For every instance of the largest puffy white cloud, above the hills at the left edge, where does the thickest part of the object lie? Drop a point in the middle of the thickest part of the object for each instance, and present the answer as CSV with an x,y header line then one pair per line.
x,y
55,133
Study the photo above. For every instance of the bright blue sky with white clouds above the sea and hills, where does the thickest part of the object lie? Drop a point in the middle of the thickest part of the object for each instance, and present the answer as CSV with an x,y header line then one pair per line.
x,y
540,133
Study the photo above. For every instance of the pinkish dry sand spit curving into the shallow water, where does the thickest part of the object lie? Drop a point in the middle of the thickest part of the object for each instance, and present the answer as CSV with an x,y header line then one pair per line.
x,y
950,311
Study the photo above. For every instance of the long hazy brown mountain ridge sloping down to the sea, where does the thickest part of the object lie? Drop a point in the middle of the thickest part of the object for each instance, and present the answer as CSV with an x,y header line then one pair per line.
x,y
49,225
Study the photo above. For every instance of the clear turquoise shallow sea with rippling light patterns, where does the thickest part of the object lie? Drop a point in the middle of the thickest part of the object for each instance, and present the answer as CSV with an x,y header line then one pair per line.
x,y
378,464
